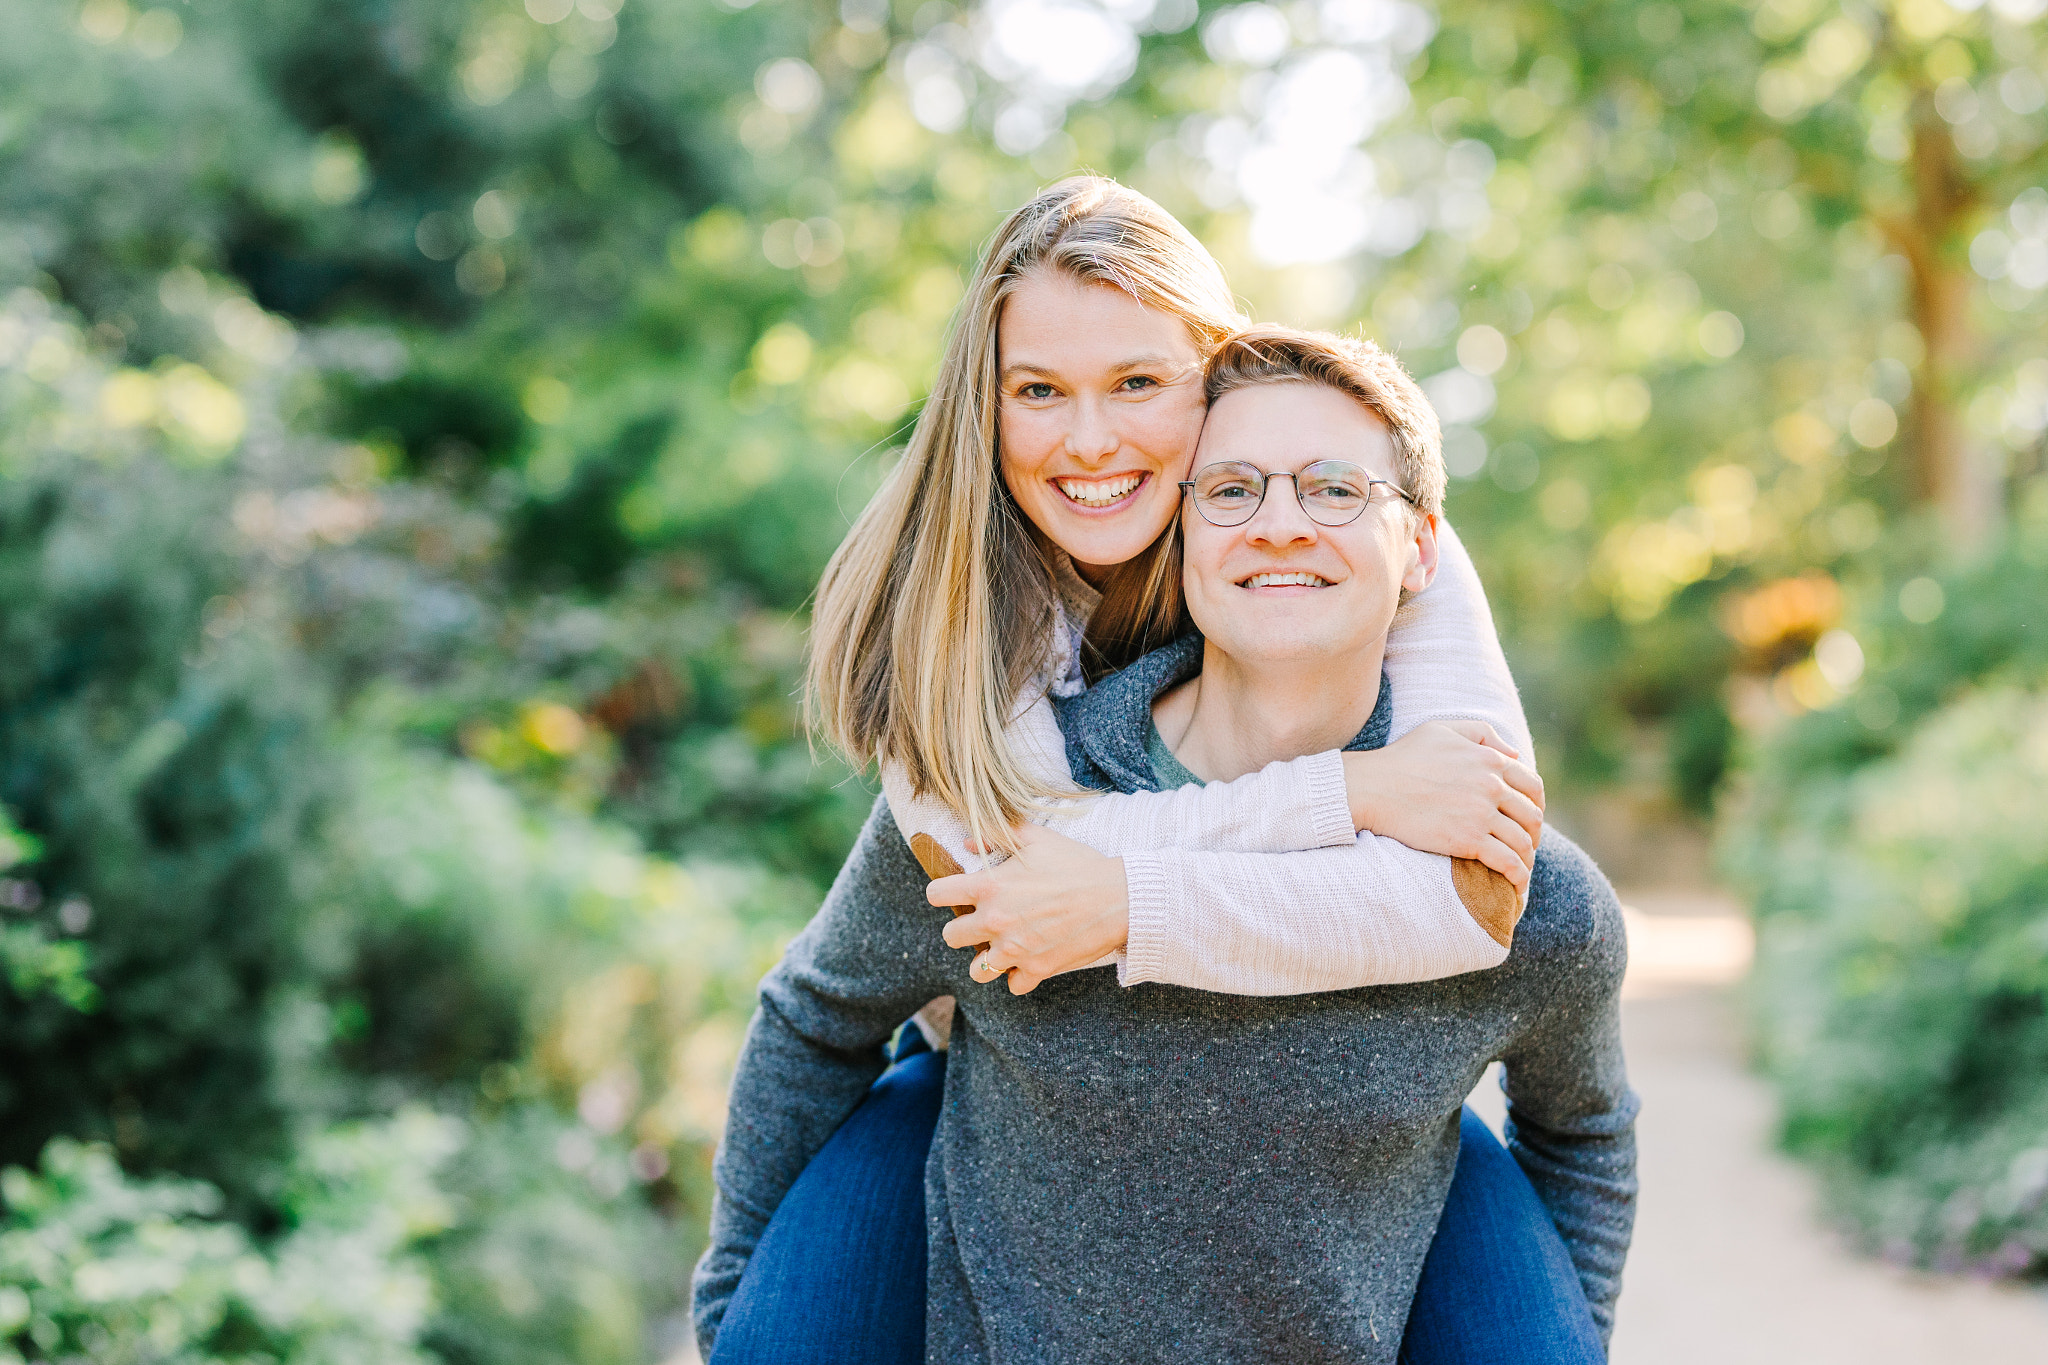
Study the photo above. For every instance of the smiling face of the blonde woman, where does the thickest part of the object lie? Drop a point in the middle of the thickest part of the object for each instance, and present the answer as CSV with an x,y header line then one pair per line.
x,y
1099,404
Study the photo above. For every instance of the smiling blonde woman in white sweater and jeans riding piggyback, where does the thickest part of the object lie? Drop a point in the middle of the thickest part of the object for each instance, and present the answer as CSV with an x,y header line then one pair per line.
x,y
1019,549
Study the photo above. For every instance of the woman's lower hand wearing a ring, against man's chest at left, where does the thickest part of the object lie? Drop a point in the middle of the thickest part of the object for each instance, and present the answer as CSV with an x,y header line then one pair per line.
x,y
1052,908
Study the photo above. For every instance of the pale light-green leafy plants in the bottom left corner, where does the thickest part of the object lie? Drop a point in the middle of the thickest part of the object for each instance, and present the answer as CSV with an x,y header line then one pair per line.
x,y
97,1266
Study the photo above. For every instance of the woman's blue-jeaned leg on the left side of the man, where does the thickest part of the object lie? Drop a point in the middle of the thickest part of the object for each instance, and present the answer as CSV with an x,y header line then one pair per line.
x,y
839,1276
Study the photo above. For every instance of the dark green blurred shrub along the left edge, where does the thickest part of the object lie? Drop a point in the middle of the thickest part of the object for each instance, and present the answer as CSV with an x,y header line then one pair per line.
x,y
173,781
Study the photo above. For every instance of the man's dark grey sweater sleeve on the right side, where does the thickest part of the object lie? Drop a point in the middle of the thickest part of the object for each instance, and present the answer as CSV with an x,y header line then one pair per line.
x,y
1570,1110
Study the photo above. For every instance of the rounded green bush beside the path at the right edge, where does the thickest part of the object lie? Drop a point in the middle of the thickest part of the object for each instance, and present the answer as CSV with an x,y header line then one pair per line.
x,y
1893,850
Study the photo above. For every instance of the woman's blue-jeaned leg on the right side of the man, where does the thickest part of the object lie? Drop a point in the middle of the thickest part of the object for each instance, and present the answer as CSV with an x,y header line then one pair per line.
x,y
1498,1286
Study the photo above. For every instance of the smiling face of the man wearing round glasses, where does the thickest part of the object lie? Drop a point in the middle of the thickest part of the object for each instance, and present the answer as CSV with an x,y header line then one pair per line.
x,y
1355,574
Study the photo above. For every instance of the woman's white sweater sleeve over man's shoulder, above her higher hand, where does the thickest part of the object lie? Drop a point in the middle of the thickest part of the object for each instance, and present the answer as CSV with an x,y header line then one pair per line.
x,y
1445,658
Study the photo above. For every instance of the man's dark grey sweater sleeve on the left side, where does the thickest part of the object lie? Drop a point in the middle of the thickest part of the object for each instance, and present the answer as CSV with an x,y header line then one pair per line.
x,y
869,957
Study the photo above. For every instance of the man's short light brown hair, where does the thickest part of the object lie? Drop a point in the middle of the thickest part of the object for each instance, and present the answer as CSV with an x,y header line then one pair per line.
x,y
1357,369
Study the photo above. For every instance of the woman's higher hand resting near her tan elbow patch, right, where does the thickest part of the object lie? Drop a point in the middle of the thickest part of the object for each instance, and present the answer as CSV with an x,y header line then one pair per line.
x,y
1451,787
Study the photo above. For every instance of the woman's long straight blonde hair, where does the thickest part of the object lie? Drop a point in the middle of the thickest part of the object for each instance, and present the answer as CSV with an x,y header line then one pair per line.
x,y
939,605
